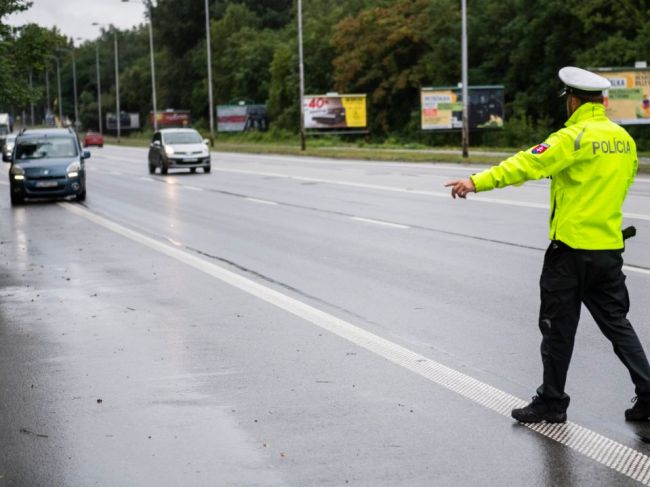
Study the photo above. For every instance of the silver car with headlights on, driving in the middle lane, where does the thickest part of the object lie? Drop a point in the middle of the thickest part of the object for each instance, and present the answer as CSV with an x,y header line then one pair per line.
x,y
178,148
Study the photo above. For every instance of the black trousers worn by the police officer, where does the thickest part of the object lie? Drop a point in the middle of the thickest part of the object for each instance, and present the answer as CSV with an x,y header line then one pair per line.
x,y
569,278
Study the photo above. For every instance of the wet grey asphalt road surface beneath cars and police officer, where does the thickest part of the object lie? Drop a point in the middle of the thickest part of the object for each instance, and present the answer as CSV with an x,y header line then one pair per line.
x,y
121,364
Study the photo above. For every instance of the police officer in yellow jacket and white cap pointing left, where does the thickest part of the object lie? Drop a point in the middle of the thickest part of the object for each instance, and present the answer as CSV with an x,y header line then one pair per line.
x,y
591,162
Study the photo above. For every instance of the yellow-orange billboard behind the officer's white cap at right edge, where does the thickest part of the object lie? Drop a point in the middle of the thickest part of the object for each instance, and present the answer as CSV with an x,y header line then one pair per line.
x,y
627,102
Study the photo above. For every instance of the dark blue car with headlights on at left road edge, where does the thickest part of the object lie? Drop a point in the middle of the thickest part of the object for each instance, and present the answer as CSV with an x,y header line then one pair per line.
x,y
47,163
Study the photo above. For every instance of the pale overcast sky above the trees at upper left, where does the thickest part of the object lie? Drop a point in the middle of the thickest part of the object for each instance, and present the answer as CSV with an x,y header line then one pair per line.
x,y
74,17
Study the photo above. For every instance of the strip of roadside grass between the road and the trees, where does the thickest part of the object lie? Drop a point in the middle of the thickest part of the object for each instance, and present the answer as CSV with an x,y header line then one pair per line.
x,y
336,148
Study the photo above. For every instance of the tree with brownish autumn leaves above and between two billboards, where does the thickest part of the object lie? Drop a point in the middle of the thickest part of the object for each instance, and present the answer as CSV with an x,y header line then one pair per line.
x,y
389,52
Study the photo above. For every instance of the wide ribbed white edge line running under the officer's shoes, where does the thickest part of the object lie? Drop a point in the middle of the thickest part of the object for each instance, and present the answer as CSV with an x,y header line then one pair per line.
x,y
579,438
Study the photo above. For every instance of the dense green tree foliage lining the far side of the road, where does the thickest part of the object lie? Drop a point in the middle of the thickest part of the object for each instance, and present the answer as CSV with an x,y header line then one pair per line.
x,y
387,49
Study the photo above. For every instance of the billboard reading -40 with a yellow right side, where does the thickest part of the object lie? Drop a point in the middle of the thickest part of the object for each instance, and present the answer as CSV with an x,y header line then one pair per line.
x,y
334,111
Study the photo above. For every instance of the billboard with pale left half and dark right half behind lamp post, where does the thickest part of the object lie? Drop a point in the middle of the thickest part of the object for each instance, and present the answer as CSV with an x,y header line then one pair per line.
x,y
442,107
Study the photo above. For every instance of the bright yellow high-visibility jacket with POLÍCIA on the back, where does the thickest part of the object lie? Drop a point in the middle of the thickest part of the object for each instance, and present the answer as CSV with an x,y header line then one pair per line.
x,y
592,162
